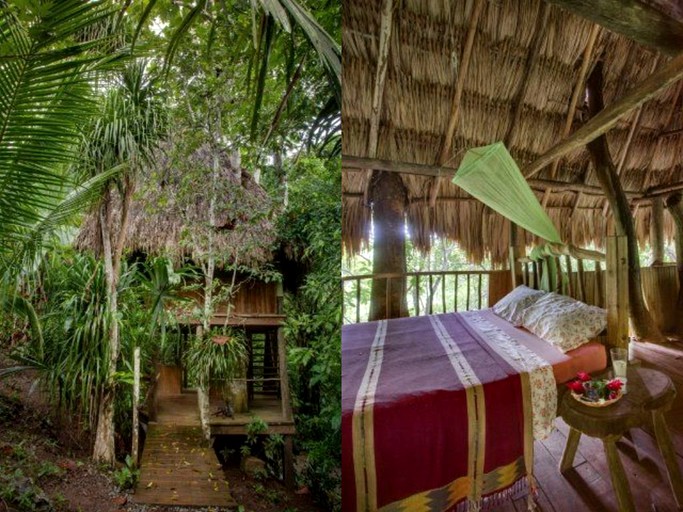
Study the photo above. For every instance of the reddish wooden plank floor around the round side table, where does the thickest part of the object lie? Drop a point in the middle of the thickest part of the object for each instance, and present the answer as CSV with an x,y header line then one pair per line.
x,y
587,486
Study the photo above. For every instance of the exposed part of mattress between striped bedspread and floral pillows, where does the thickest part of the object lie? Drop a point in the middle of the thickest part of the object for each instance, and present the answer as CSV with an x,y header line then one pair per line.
x,y
591,357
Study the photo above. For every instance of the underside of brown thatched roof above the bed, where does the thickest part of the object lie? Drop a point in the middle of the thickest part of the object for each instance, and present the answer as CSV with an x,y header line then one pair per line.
x,y
513,56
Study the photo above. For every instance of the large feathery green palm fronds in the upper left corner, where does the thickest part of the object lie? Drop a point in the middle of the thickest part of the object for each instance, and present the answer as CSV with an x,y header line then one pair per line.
x,y
50,53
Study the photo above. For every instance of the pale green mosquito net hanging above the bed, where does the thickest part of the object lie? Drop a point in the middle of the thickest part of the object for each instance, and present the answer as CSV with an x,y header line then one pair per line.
x,y
491,175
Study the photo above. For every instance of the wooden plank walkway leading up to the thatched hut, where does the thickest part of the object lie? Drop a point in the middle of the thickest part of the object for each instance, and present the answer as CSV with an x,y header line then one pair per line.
x,y
178,467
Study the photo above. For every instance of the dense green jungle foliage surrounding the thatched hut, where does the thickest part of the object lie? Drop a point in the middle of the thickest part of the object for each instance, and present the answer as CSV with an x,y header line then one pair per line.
x,y
96,98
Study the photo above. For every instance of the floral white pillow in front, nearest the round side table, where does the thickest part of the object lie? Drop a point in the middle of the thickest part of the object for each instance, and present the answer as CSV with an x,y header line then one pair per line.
x,y
564,322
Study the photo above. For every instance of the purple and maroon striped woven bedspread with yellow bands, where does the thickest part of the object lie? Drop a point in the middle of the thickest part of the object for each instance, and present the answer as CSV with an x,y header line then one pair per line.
x,y
439,413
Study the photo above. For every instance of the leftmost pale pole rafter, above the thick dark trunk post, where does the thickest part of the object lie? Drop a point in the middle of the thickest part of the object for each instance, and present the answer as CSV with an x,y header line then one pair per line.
x,y
386,23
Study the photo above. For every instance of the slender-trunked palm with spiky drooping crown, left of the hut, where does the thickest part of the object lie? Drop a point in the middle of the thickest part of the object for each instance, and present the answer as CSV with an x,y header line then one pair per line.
x,y
124,136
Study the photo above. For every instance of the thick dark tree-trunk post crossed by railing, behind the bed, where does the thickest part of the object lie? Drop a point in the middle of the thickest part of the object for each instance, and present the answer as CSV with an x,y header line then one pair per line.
x,y
389,254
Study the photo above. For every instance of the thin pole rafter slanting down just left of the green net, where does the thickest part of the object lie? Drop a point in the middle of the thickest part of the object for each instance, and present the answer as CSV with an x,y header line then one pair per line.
x,y
457,96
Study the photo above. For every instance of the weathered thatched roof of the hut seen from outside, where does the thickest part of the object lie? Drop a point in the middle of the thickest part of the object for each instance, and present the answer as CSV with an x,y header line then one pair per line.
x,y
169,213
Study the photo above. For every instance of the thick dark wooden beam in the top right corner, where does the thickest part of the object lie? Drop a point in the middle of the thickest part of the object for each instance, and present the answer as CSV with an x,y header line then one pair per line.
x,y
633,19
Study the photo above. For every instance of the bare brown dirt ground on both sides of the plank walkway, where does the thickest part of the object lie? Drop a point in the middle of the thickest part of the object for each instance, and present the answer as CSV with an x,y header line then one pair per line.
x,y
45,463
